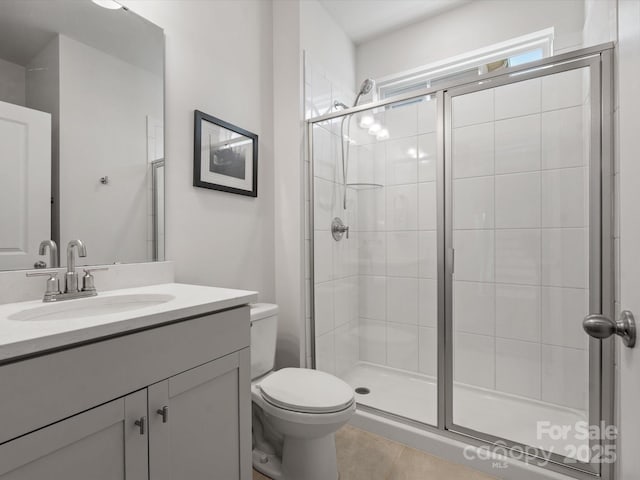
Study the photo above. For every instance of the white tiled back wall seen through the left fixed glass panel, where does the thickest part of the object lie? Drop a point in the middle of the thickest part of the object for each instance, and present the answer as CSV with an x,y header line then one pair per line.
x,y
397,237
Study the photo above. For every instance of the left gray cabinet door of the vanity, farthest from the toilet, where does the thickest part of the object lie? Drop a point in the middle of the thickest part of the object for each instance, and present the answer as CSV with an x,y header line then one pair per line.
x,y
100,444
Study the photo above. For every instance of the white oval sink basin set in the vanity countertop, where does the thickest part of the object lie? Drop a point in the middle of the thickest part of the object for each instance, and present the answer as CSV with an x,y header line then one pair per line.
x,y
90,307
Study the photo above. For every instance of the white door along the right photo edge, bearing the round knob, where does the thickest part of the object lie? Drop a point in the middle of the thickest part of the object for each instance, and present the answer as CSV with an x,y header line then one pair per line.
x,y
628,113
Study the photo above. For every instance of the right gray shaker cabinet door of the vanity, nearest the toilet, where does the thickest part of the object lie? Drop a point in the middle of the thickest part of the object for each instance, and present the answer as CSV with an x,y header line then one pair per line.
x,y
206,430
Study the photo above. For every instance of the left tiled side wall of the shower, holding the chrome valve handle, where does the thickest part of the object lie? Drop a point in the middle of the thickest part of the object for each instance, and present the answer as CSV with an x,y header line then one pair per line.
x,y
336,269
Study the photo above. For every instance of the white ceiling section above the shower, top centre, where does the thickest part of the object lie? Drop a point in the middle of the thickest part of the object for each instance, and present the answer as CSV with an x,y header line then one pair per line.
x,y
363,20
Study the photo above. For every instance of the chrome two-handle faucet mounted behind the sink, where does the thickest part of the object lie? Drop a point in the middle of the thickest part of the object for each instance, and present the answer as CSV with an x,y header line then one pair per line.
x,y
71,291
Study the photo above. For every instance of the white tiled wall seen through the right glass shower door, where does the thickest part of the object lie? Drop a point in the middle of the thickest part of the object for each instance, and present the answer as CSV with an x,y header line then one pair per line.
x,y
520,194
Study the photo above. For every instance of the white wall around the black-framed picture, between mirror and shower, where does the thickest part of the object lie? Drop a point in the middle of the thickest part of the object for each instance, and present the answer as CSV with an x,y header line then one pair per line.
x,y
218,60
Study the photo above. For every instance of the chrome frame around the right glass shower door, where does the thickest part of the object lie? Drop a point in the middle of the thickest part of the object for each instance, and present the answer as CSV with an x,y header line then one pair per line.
x,y
601,296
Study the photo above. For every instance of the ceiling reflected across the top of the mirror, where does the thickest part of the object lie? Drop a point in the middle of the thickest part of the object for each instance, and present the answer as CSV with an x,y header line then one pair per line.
x,y
27,26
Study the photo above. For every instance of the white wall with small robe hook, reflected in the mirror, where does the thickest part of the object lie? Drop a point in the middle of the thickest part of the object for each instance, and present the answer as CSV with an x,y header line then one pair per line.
x,y
104,104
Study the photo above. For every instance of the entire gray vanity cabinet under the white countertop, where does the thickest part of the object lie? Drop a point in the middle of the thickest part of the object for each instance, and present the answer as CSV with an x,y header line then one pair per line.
x,y
170,403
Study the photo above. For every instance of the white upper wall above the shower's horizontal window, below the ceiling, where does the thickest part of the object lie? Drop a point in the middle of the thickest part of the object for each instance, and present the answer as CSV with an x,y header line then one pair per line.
x,y
469,27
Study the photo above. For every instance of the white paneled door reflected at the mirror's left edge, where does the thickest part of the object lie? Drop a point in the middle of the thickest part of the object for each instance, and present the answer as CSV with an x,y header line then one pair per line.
x,y
25,184
